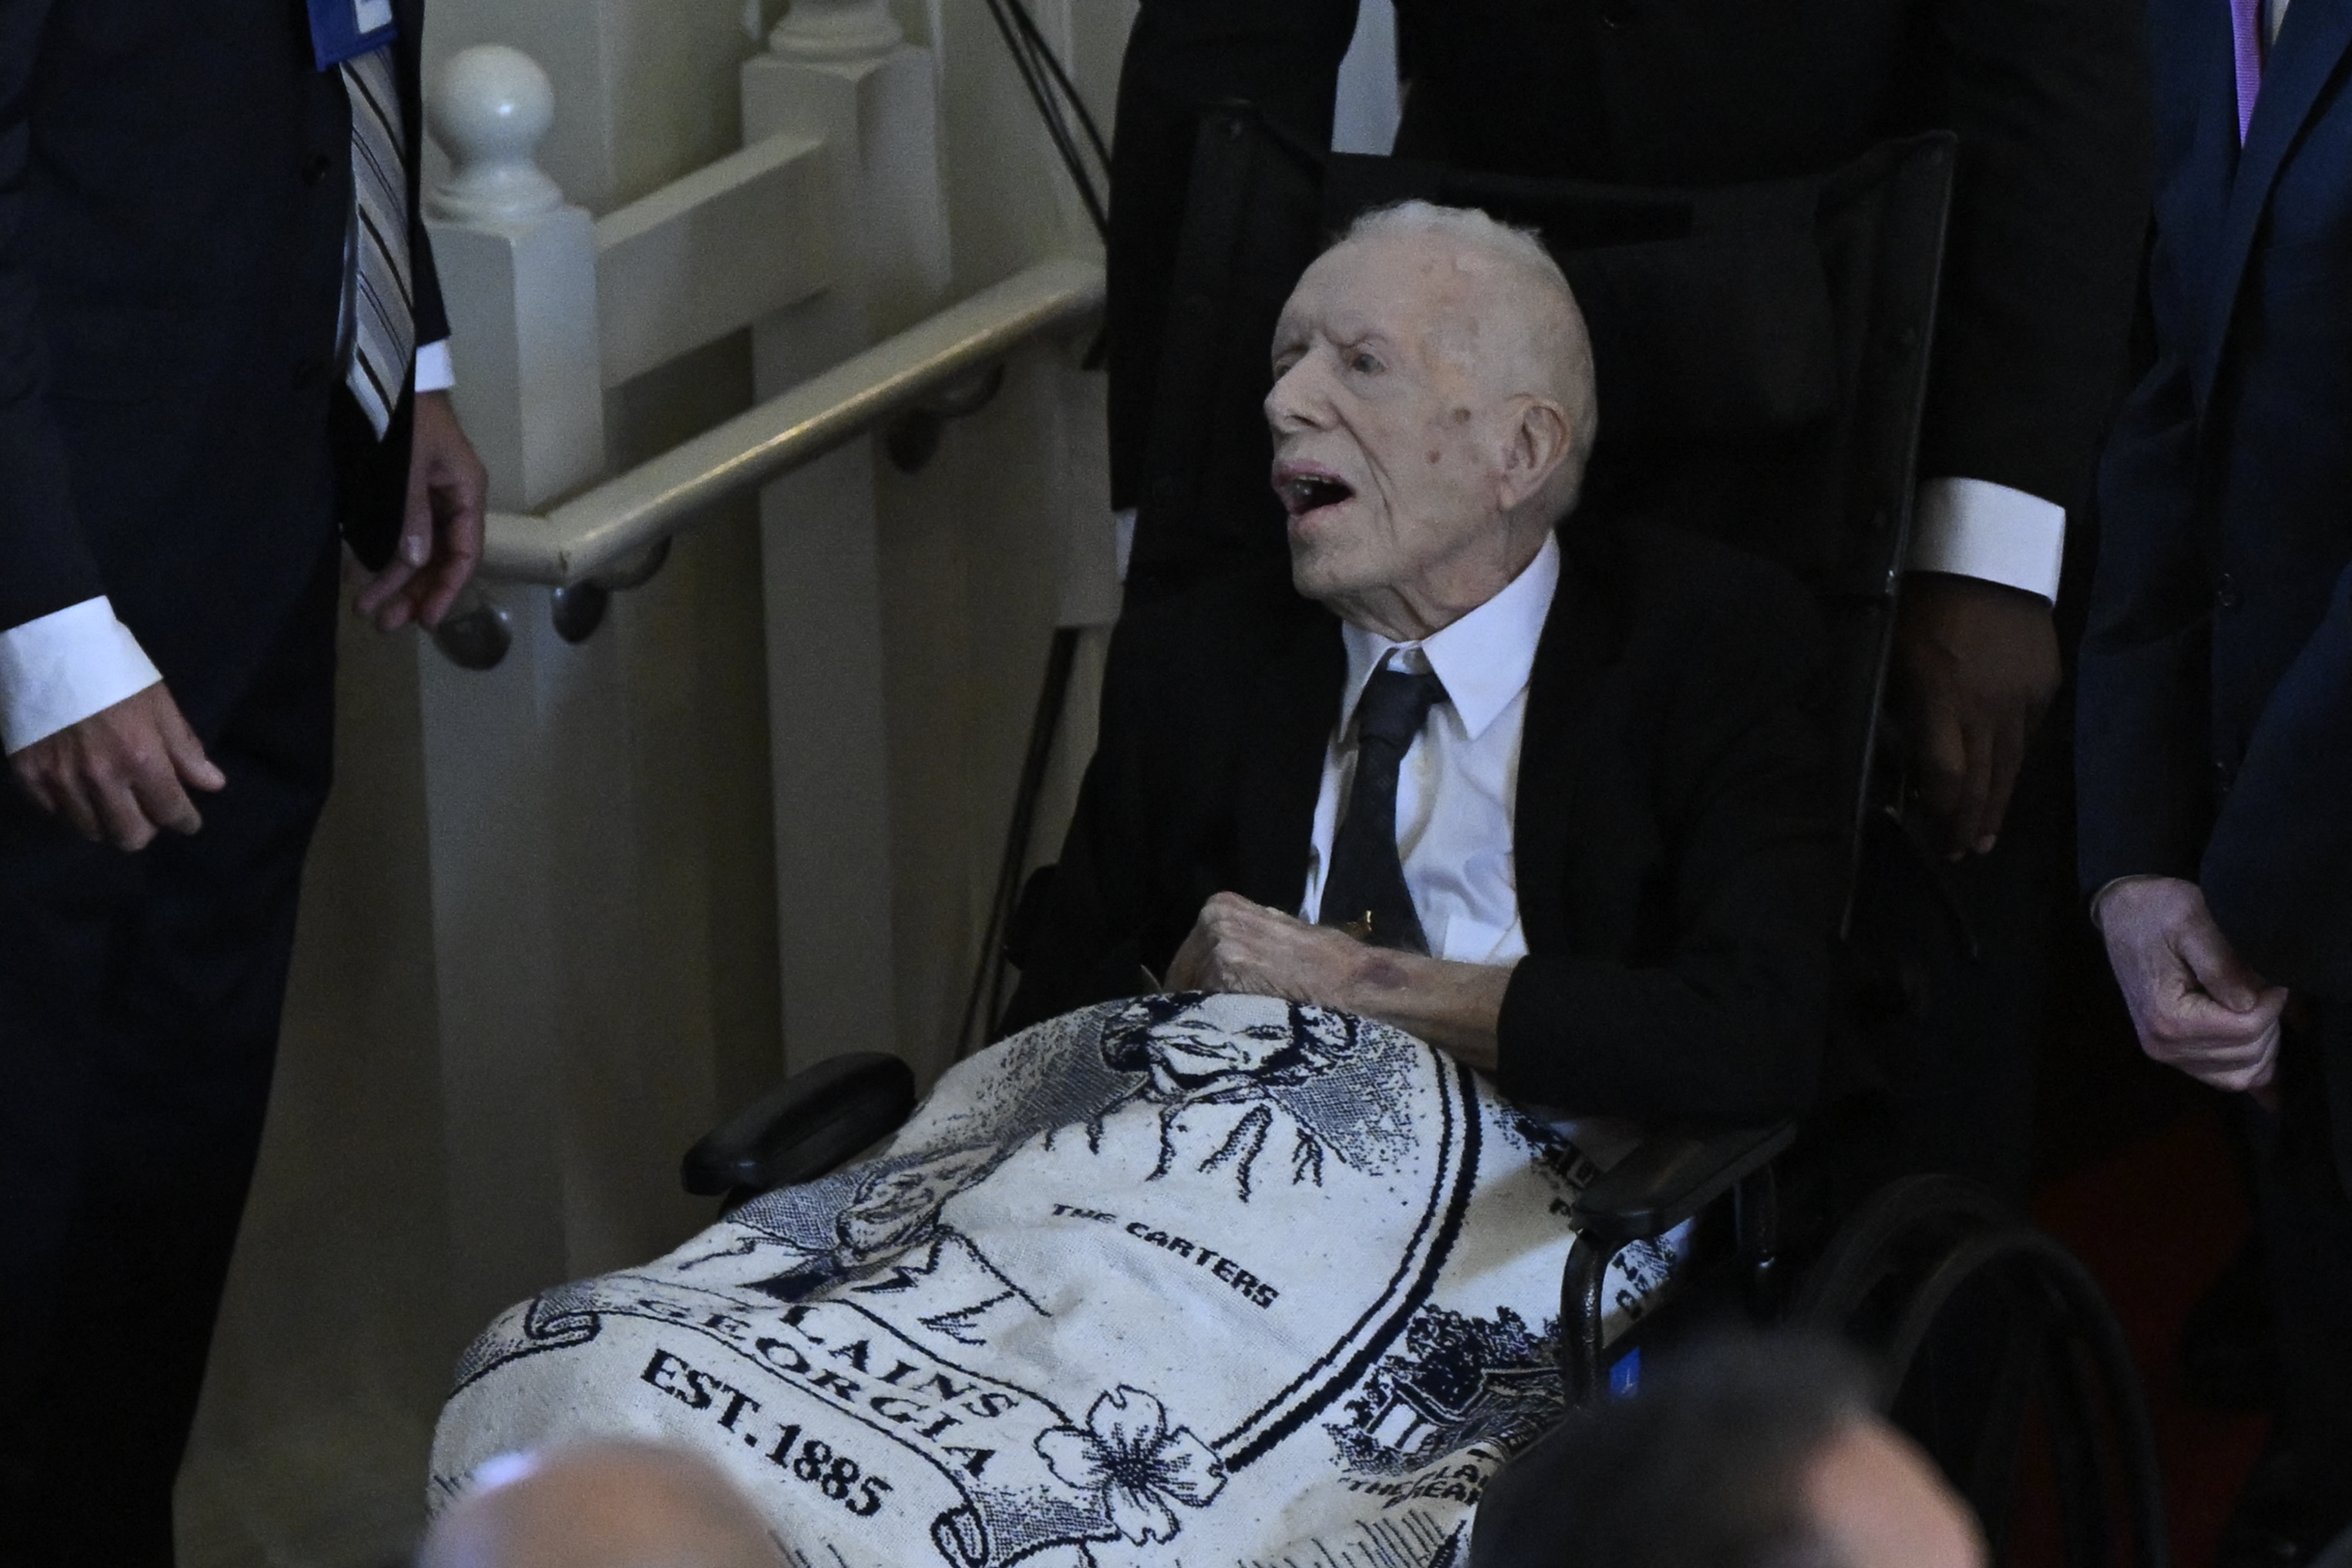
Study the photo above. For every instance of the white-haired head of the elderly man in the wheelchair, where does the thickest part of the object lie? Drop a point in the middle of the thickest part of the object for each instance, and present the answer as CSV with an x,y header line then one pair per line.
x,y
1431,410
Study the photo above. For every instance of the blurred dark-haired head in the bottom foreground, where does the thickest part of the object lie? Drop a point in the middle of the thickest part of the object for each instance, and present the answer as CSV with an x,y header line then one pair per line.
x,y
1746,1454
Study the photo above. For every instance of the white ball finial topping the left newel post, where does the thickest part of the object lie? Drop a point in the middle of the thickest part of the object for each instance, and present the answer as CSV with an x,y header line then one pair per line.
x,y
490,109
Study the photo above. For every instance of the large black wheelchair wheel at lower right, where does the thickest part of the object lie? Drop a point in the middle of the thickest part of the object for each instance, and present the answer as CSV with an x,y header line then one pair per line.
x,y
1979,1325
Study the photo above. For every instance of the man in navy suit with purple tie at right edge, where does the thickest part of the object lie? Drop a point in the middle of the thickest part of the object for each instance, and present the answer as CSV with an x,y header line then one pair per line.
x,y
2217,676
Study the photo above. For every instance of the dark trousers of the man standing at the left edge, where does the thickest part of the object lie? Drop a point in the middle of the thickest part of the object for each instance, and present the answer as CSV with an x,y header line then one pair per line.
x,y
140,1003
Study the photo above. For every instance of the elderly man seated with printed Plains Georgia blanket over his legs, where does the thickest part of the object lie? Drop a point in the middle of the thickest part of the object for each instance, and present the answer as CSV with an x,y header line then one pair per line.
x,y
1483,838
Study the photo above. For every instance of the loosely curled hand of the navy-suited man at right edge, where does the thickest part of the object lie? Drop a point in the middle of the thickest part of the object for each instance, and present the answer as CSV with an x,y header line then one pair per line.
x,y
2193,1000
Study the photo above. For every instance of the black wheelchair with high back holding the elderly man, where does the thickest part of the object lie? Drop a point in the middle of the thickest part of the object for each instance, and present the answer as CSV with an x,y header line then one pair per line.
x,y
1763,370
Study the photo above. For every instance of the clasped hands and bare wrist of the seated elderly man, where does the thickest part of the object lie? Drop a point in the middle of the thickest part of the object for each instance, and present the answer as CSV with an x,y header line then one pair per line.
x,y
1238,946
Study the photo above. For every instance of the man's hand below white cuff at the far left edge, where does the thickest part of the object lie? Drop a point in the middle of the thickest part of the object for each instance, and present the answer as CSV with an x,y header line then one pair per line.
x,y
123,775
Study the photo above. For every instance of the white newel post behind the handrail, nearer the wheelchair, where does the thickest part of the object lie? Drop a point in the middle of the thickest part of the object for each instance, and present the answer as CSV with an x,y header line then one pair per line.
x,y
841,72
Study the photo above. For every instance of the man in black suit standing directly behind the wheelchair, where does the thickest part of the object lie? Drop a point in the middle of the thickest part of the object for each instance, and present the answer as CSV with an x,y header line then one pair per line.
x,y
2047,227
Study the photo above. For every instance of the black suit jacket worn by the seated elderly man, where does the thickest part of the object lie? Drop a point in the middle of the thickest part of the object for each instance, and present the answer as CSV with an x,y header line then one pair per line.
x,y
1673,845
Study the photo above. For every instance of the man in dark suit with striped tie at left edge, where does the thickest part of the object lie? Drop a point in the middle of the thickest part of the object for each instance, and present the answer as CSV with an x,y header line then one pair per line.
x,y
213,295
